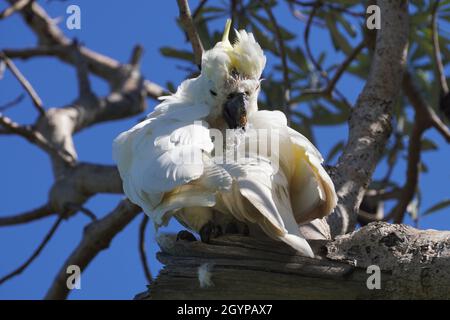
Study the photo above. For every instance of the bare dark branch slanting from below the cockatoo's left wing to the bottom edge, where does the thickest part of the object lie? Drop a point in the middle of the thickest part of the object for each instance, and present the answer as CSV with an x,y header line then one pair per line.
x,y
97,237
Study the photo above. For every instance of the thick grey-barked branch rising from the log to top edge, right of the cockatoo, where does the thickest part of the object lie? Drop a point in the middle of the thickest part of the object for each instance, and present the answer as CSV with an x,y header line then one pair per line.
x,y
370,121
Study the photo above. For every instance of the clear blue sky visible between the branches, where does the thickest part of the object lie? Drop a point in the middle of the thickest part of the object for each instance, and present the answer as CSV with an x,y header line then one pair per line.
x,y
113,28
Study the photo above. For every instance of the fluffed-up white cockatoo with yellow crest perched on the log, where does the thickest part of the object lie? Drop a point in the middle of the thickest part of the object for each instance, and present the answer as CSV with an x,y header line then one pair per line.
x,y
172,163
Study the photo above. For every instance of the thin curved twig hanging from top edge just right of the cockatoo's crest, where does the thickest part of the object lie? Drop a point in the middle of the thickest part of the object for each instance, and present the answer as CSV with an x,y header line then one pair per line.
x,y
283,57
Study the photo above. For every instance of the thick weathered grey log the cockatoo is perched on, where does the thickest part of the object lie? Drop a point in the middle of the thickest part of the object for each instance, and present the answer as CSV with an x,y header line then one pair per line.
x,y
414,264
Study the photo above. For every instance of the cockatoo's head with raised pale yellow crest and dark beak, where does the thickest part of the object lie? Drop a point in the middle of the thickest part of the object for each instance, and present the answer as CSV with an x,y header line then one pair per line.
x,y
232,73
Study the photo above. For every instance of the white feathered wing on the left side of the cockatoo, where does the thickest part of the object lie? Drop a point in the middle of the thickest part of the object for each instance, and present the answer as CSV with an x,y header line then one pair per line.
x,y
165,152
